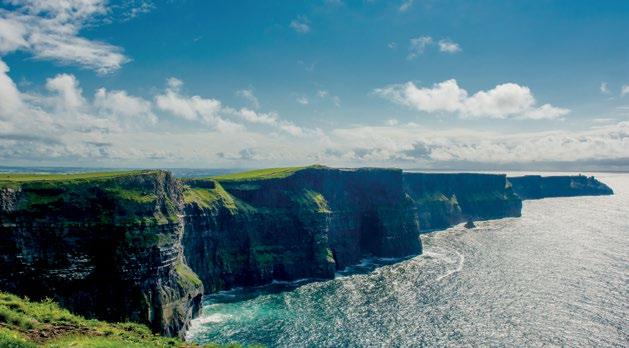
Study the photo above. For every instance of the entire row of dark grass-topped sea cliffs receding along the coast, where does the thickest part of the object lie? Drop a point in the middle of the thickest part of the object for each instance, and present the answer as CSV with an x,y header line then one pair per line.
x,y
144,246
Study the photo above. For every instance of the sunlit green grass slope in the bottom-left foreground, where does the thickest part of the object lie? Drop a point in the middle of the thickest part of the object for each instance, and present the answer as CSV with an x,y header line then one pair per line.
x,y
27,324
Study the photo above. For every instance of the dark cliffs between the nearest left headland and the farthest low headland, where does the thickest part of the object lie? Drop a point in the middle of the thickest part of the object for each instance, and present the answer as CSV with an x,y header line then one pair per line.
x,y
242,232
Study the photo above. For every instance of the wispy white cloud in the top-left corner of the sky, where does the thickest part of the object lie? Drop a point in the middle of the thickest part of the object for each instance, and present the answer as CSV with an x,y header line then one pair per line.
x,y
50,30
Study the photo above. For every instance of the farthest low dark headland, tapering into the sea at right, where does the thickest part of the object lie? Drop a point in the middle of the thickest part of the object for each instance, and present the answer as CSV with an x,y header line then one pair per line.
x,y
536,186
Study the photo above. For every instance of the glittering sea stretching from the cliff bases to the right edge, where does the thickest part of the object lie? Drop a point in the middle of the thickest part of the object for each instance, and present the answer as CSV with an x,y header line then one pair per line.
x,y
559,275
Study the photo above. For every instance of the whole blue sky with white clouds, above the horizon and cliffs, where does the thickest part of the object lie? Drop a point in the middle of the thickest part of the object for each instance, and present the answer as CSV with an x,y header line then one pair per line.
x,y
475,85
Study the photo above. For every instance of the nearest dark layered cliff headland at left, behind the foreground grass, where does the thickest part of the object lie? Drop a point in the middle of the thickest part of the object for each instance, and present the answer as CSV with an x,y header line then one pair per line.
x,y
104,247
